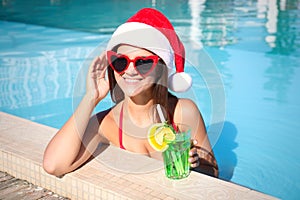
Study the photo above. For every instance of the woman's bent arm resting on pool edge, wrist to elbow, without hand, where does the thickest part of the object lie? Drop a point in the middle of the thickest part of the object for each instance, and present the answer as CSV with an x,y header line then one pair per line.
x,y
74,143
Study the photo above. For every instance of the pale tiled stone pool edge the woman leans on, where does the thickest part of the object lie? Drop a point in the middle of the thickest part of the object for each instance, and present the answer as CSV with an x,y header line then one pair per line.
x,y
113,174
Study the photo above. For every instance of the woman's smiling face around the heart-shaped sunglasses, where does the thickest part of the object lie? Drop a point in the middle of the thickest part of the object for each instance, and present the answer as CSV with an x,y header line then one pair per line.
x,y
131,82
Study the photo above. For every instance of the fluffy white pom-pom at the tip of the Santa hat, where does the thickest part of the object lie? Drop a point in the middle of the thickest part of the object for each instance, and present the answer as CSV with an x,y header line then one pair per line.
x,y
180,82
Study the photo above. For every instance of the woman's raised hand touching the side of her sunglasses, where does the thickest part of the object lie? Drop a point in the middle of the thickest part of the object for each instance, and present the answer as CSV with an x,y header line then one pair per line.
x,y
97,86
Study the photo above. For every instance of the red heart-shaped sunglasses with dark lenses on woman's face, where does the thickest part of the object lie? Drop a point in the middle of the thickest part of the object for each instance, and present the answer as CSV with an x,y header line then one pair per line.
x,y
142,64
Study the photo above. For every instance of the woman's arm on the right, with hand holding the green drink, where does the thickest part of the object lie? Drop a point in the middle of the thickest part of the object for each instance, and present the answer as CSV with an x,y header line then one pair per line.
x,y
202,158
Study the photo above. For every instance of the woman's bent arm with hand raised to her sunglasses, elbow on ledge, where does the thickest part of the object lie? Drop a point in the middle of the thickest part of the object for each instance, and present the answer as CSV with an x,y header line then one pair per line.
x,y
75,142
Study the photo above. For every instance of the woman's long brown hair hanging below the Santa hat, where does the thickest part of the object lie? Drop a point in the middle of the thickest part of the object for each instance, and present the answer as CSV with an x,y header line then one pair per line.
x,y
161,95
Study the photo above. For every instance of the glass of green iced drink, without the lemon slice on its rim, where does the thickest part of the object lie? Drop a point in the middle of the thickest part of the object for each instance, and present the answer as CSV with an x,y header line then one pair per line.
x,y
176,155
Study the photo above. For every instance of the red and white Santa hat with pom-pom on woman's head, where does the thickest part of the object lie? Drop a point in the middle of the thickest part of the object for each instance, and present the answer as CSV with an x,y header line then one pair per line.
x,y
151,30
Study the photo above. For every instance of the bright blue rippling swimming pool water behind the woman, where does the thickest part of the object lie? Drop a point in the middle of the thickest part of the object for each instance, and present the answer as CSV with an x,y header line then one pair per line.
x,y
243,56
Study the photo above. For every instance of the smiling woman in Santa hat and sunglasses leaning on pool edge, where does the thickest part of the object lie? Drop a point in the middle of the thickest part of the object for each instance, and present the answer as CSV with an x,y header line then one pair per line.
x,y
138,61
